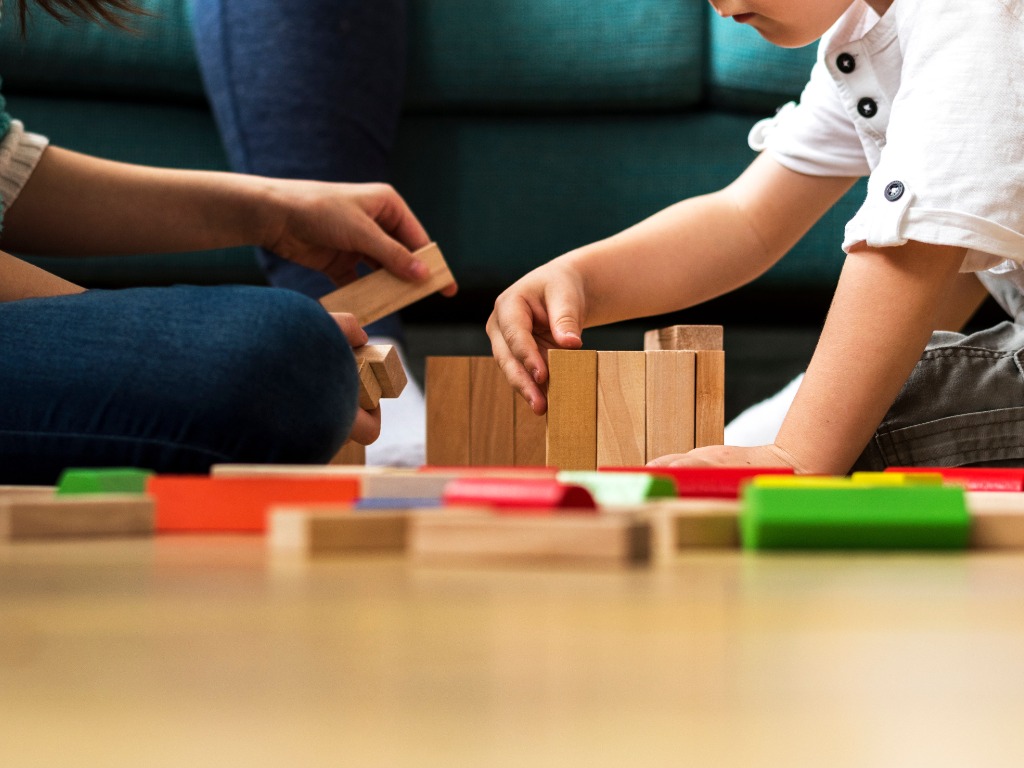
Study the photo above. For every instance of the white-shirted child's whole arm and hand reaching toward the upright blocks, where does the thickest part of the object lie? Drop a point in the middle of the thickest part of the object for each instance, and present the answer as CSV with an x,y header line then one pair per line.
x,y
687,254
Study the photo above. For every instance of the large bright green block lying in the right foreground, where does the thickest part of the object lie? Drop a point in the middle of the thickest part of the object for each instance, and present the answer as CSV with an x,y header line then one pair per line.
x,y
857,518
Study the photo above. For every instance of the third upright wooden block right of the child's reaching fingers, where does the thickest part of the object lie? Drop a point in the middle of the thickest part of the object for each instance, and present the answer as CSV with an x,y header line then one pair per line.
x,y
671,403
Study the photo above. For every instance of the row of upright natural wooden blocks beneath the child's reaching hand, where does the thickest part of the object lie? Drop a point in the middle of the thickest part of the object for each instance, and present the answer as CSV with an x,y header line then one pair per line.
x,y
605,408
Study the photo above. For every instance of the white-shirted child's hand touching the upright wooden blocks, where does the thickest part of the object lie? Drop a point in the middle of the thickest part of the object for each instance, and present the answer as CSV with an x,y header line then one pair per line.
x,y
543,311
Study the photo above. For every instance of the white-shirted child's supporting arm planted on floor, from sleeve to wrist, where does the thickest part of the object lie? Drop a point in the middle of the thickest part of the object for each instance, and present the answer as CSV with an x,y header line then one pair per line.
x,y
886,307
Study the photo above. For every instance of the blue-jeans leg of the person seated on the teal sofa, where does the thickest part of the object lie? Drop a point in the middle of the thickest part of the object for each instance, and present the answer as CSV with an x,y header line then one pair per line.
x,y
306,90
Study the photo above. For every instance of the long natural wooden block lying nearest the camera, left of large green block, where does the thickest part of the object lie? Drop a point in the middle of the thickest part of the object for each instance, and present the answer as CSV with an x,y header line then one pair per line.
x,y
524,540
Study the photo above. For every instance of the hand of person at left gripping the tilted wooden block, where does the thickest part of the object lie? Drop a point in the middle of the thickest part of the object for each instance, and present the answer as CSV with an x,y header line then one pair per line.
x,y
332,228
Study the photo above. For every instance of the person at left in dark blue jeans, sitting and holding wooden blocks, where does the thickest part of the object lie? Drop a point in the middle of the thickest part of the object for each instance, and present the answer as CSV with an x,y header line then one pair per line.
x,y
180,378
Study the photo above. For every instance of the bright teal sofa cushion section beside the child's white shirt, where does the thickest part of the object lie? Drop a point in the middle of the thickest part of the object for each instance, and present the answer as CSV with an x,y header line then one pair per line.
x,y
747,73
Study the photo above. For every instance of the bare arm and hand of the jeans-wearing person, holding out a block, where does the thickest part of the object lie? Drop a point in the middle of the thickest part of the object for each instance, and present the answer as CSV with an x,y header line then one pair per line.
x,y
78,204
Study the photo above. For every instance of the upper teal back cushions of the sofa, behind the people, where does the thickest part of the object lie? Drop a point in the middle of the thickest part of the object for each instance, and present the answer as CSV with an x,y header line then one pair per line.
x,y
519,56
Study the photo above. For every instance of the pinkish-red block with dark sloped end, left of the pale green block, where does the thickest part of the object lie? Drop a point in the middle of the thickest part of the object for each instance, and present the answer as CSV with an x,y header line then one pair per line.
x,y
526,494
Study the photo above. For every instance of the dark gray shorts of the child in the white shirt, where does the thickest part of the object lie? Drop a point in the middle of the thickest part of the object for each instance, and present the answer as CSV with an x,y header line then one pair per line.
x,y
964,404
